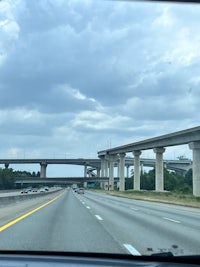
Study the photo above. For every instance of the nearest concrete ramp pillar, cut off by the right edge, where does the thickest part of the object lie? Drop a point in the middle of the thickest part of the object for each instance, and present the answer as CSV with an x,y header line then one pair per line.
x,y
195,146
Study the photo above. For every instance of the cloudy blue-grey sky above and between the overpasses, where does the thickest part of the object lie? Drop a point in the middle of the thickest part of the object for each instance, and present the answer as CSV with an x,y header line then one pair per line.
x,y
77,77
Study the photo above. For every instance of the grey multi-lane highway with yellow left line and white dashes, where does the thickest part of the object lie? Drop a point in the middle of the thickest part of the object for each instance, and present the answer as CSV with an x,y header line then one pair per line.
x,y
96,222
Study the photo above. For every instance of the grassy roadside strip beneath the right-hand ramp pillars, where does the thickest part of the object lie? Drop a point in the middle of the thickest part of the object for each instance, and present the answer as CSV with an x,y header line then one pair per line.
x,y
163,197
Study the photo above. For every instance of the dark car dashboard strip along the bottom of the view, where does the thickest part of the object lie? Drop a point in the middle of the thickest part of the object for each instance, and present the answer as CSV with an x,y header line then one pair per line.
x,y
36,259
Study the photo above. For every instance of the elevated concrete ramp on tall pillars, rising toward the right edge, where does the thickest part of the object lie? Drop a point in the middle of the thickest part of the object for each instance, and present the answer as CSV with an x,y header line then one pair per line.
x,y
189,136
